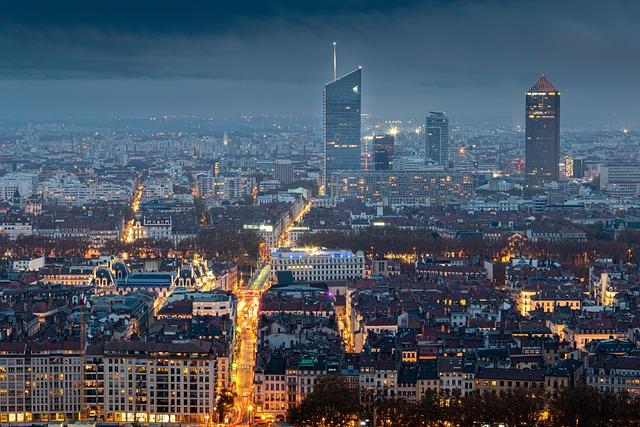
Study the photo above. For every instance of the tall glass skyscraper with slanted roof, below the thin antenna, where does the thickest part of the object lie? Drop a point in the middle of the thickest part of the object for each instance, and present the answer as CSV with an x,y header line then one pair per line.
x,y
341,123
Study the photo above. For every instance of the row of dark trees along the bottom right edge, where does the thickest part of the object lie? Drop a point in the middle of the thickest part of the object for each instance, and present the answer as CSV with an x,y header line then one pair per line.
x,y
333,403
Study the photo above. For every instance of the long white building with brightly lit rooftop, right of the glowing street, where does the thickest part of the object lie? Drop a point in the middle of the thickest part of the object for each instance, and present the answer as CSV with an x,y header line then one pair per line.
x,y
318,265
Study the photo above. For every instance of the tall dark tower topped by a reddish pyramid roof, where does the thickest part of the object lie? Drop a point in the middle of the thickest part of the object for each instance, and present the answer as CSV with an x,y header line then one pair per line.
x,y
542,146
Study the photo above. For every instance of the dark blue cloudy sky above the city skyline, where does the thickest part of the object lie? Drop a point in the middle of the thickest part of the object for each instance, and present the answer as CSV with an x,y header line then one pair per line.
x,y
472,58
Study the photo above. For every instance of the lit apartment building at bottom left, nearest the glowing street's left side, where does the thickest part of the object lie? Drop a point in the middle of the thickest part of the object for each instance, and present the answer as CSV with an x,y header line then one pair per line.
x,y
159,382
